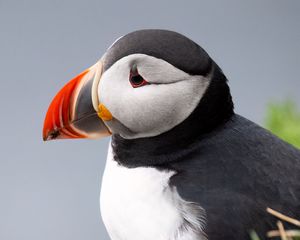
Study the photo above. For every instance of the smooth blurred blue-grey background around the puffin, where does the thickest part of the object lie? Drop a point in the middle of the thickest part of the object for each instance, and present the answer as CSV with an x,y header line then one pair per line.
x,y
51,190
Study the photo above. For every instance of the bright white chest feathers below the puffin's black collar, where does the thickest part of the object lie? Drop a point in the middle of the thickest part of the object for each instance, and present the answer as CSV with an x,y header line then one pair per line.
x,y
138,204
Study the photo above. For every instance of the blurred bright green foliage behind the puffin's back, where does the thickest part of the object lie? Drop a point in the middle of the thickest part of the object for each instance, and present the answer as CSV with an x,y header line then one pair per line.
x,y
283,119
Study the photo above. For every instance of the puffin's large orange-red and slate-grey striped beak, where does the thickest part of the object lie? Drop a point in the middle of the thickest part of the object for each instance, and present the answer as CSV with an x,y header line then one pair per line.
x,y
73,113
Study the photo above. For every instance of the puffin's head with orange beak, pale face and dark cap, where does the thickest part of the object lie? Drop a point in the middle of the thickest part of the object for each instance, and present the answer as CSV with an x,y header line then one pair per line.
x,y
146,84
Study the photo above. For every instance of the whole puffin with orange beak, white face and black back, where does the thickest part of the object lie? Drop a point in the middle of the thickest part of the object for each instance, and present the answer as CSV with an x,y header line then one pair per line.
x,y
181,164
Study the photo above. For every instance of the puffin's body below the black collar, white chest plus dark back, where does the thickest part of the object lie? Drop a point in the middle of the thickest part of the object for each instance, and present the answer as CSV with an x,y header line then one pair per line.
x,y
227,189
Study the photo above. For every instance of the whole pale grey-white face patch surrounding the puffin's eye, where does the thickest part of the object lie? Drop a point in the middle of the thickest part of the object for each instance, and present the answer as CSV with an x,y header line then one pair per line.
x,y
155,108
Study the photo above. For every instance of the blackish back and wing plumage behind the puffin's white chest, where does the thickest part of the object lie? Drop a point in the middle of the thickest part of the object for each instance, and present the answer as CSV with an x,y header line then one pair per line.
x,y
235,173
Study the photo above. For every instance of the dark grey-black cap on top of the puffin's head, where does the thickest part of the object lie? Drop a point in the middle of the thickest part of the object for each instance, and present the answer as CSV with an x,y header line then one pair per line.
x,y
171,46
